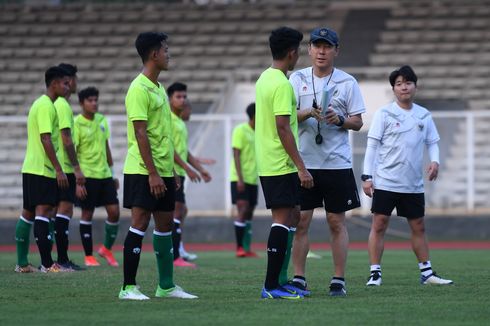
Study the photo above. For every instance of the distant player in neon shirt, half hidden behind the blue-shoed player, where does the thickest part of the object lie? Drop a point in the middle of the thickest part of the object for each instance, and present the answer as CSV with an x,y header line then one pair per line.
x,y
243,177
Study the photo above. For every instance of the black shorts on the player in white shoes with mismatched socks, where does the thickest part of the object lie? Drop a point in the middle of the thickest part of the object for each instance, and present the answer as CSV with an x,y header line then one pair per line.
x,y
137,194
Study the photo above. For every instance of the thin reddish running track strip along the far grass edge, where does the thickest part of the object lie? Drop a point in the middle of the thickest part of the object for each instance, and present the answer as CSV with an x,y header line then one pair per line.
x,y
465,245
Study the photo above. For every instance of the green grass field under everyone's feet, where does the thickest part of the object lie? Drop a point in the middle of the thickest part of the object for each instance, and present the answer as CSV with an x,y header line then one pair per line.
x,y
229,290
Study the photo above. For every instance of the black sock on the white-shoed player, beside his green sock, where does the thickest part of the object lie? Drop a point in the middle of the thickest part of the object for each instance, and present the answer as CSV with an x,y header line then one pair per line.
x,y
132,251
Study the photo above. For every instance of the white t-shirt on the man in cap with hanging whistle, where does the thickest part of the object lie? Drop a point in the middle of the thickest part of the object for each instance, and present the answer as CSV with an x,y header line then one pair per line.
x,y
335,151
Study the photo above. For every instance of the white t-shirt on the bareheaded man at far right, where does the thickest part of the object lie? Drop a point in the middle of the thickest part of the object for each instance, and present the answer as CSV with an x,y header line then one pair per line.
x,y
402,135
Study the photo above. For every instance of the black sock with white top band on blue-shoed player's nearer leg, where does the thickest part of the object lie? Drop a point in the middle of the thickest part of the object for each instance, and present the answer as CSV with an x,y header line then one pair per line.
x,y
276,251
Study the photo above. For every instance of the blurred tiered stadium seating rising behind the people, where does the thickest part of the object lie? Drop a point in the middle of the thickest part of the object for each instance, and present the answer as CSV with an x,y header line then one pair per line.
x,y
445,41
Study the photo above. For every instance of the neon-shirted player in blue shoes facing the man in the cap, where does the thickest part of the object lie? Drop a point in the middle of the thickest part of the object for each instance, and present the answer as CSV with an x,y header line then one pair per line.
x,y
278,161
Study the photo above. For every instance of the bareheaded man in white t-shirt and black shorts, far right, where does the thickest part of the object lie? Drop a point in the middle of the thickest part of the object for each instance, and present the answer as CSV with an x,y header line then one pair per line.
x,y
393,172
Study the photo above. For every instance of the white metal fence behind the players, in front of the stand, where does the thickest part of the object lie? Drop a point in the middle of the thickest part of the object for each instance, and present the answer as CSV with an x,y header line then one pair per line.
x,y
463,186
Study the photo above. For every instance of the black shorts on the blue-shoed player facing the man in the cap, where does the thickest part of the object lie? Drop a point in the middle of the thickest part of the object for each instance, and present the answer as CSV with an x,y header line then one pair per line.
x,y
281,190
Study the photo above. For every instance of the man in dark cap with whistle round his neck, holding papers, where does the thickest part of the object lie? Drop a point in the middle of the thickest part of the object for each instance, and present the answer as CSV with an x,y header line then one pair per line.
x,y
325,148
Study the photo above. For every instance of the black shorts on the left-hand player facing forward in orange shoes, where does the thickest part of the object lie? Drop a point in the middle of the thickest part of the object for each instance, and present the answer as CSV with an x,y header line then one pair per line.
x,y
100,192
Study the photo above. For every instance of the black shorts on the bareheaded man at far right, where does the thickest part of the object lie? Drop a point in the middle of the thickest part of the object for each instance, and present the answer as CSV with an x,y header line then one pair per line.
x,y
407,205
